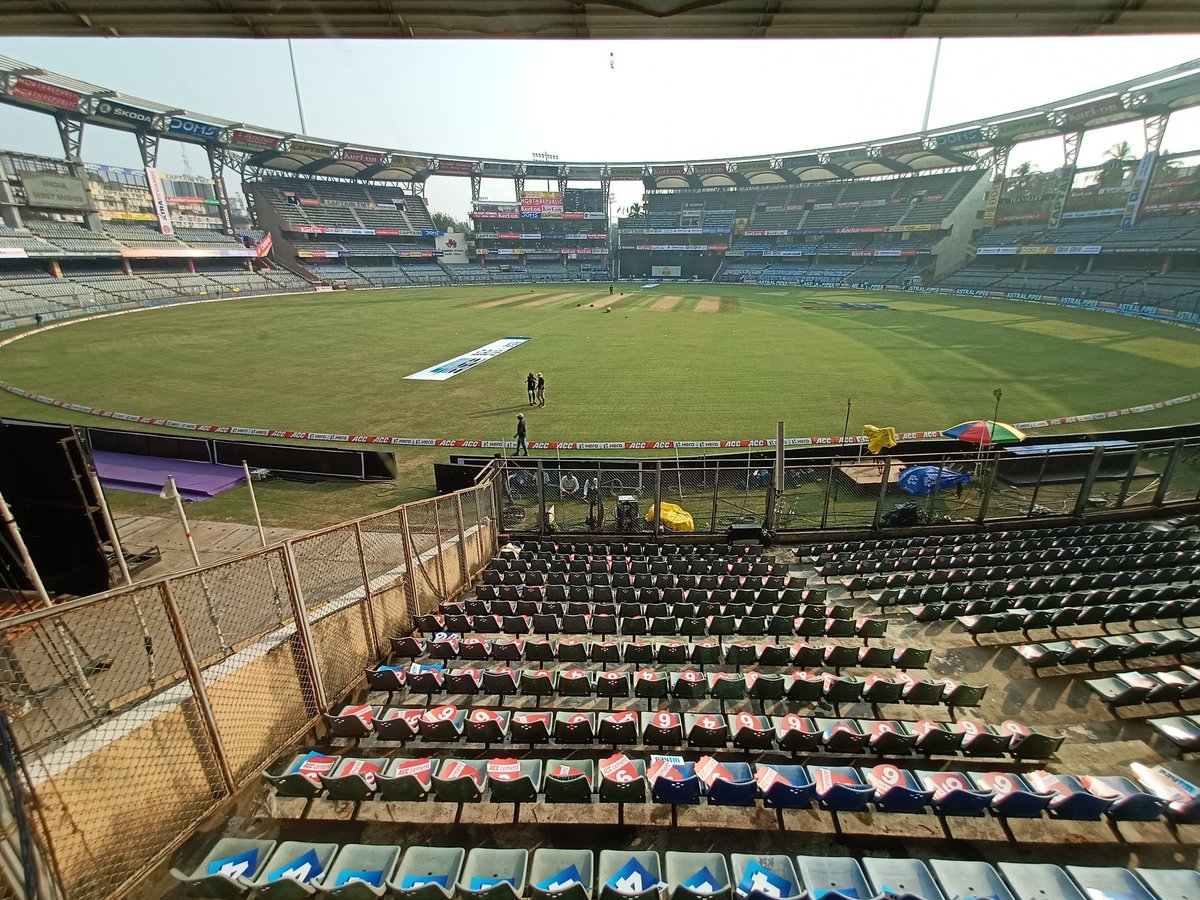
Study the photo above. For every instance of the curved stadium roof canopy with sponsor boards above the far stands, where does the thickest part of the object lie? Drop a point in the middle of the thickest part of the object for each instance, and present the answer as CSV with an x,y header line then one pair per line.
x,y
75,104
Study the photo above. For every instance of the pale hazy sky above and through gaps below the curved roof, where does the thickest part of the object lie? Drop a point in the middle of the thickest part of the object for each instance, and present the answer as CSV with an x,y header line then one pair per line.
x,y
661,100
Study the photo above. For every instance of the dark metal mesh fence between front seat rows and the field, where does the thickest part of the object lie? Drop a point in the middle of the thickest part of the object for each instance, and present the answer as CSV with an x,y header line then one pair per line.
x,y
551,496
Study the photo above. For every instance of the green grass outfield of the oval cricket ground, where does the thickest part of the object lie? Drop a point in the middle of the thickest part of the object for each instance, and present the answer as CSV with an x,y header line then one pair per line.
x,y
706,362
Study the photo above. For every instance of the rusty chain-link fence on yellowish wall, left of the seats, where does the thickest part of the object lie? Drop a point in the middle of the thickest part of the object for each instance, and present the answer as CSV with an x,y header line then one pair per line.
x,y
140,711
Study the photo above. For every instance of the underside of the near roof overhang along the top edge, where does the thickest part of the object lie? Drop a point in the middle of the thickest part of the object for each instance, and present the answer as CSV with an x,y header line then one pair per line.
x,y
604,20
